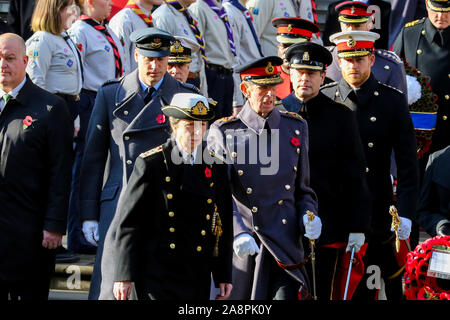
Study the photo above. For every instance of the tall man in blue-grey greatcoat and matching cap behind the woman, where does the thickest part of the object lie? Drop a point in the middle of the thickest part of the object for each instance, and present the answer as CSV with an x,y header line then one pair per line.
x,y
126,120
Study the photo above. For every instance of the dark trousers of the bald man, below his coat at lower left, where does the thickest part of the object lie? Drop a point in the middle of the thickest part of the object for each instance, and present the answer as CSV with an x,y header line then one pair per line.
x,y
36,285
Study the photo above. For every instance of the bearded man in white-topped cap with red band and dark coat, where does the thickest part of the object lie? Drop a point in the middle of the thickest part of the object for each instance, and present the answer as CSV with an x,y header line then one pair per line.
x,y
384,124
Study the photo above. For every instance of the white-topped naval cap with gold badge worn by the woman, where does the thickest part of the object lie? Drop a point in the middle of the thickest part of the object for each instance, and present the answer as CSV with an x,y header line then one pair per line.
x,y
190,106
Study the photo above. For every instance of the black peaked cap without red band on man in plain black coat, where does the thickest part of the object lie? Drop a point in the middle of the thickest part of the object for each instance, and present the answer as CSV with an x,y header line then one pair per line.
x,y
308,55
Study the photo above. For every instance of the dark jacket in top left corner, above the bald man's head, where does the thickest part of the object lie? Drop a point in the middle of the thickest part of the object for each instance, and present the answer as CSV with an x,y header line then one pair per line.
x,y
19,17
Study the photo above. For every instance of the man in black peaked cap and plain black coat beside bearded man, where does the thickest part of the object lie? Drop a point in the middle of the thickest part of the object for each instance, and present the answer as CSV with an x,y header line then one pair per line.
x,y
337,162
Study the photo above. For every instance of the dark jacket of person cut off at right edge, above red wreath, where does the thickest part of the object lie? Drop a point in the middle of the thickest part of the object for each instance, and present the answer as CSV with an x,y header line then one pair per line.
x,y
434,202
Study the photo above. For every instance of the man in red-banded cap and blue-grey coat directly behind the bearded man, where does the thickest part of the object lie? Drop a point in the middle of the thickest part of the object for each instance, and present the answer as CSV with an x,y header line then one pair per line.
x,y
388,68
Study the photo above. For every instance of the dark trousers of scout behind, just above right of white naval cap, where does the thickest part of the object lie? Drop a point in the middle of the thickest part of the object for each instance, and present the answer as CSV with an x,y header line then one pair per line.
x,y
221,89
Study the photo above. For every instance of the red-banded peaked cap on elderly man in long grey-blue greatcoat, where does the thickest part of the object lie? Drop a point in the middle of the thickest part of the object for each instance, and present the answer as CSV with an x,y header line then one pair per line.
x,y
263,71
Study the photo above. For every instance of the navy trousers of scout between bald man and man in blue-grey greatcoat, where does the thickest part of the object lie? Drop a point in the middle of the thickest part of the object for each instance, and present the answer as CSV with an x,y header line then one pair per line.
x,y
75,238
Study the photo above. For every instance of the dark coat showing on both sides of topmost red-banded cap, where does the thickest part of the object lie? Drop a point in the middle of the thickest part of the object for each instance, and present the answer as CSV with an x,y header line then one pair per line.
x,y
332,24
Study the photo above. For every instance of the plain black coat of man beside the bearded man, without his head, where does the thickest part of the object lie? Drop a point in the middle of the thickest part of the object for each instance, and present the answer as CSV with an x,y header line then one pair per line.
x,y
337,166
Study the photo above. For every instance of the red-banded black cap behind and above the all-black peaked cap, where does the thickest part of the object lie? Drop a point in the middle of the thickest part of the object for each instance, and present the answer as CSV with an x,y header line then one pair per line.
x,y
294,30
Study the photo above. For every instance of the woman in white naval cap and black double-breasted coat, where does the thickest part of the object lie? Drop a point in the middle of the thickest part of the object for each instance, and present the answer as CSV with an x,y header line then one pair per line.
x,y
175,216
